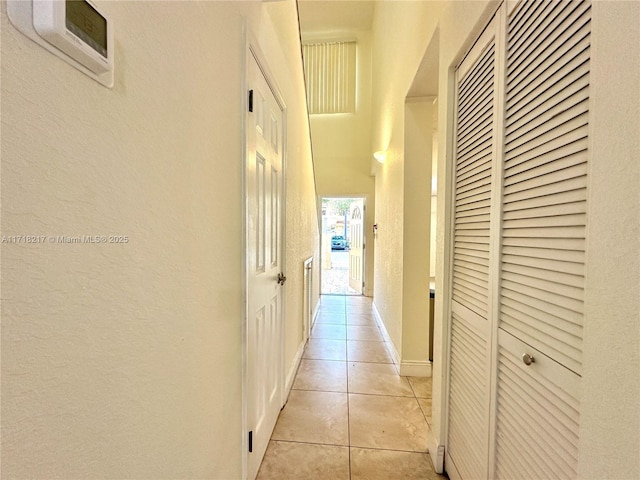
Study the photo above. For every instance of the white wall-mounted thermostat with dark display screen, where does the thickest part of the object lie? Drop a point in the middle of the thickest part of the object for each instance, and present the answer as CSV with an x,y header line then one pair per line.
x,y
74,30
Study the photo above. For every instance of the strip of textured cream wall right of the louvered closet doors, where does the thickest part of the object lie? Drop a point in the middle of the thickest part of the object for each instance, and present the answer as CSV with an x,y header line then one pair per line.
x,y
610,409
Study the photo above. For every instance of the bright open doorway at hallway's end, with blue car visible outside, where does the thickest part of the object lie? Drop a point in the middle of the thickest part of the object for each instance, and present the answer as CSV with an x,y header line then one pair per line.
x,y
342,254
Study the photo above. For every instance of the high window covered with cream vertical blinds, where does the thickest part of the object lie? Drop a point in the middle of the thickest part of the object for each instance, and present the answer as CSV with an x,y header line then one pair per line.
x,y
330,71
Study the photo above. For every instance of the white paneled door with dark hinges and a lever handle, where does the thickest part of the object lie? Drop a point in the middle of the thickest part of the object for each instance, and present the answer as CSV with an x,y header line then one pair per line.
x,y
264,189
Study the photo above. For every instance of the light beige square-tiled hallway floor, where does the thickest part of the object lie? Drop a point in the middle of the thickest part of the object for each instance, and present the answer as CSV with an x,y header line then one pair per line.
x,y
350,415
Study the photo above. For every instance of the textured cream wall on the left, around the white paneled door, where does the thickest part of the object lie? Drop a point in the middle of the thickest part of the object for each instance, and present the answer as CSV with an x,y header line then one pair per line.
x,y
125,360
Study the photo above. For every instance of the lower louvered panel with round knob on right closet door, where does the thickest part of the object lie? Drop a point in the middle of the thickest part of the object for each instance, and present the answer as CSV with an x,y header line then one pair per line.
x,y
538,410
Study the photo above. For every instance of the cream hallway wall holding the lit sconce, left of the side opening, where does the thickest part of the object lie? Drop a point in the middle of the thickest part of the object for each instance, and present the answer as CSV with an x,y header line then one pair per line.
x,y
401,31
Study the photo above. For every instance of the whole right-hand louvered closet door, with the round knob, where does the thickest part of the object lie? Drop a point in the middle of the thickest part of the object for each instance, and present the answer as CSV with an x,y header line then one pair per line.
x,y
543,240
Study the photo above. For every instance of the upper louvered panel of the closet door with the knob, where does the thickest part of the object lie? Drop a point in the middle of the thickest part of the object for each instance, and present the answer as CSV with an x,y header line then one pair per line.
x,y
545,179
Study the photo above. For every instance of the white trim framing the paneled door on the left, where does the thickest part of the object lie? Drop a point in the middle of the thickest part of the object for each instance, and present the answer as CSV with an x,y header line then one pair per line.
x,y
253,50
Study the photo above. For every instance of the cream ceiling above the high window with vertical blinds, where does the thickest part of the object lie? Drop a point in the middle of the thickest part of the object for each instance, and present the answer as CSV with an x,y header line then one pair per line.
x,y
335,15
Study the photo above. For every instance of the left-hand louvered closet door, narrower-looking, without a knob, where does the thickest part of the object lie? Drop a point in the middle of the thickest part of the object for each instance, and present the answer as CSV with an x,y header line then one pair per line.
x,y
469,380
